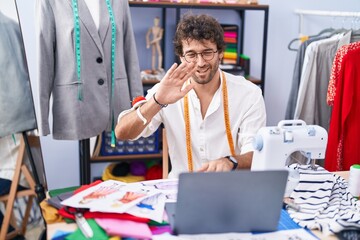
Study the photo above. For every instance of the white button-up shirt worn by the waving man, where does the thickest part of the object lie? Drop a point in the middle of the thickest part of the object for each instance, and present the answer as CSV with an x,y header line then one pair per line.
x,y
208,135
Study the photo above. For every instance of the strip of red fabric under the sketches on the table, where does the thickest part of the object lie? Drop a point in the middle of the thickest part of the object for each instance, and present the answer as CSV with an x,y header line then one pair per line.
x,y
87,214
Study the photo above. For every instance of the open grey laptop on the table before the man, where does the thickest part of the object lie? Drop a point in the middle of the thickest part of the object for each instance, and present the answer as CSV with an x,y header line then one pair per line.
x,y
222,202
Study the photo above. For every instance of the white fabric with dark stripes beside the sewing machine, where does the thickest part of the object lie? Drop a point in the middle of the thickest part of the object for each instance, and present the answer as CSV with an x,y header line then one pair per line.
x,y
325,201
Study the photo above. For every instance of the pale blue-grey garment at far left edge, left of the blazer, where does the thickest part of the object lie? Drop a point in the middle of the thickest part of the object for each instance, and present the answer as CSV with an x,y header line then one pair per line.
x,y
17,112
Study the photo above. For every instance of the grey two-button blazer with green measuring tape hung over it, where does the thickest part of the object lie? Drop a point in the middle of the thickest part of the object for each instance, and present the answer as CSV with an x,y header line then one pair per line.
x,y
75,119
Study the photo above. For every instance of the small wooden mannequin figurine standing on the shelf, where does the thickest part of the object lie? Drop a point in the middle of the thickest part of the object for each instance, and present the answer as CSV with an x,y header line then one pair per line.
x,y
153,40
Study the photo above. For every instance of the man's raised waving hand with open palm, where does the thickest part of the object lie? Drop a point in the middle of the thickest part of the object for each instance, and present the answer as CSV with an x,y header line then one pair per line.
x,y
171,88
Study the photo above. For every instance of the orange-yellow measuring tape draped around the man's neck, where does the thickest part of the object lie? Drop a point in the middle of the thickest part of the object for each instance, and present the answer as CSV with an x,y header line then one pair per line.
x,y
226,120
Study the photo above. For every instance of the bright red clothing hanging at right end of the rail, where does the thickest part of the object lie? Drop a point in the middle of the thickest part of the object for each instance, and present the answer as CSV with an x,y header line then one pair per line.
x,y
343,148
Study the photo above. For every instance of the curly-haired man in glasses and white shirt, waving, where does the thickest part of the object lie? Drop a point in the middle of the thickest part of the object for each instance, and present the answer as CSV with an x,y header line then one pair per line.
x,y
210,116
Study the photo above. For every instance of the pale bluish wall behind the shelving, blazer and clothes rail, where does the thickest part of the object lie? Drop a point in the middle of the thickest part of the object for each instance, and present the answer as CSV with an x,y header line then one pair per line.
x,y
62,156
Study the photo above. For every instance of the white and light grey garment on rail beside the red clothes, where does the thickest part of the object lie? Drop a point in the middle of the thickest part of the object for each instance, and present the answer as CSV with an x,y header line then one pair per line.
x,y
311,104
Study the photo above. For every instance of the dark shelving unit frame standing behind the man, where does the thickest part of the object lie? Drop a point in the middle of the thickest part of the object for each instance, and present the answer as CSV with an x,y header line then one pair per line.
x,y
240,9
